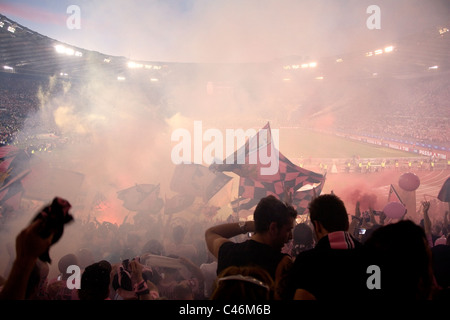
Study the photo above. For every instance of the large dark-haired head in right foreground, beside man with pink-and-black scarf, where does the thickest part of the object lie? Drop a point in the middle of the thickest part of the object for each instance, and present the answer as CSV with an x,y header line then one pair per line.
x,y
402,253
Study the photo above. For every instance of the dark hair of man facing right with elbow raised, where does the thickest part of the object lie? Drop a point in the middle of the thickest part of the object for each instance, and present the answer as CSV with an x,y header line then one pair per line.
x,y
270,209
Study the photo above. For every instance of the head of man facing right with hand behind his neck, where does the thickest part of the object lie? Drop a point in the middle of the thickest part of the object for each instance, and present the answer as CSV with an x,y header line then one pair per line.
x,y
275,218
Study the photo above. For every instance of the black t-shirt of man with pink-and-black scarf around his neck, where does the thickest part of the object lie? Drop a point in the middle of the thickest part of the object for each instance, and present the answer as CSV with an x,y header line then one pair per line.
x,y
329,274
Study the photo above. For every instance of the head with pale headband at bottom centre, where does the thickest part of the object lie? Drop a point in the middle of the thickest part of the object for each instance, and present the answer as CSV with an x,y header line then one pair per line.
x,y
243,283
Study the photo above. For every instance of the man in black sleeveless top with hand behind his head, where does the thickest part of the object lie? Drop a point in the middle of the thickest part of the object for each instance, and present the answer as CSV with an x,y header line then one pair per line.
x,y
273,222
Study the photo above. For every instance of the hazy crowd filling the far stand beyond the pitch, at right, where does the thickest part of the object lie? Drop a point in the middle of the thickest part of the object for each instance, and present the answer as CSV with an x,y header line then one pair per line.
x,y
414,110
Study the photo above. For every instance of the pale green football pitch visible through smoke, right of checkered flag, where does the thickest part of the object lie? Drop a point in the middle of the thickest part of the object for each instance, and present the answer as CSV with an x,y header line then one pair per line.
x,y
301,143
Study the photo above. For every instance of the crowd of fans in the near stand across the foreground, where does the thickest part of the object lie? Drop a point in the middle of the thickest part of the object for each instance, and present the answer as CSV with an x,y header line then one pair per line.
x,y
151,260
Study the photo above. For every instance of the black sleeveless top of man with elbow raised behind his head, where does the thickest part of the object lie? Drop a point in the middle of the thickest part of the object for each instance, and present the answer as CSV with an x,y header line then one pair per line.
x,y
249,252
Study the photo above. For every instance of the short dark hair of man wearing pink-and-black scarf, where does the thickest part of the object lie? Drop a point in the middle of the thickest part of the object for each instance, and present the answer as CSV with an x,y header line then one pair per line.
x,y
330,211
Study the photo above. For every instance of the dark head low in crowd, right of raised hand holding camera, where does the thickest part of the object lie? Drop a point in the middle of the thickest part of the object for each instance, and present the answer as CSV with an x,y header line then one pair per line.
x,y
95,281
